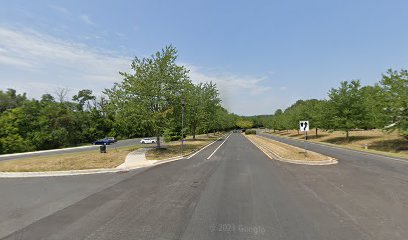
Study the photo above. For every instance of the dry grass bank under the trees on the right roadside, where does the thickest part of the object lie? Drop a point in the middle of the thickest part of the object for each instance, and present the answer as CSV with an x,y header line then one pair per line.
x,y
377,141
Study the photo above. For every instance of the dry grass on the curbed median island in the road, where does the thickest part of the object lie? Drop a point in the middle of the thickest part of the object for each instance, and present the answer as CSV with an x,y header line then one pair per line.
x,y
286,151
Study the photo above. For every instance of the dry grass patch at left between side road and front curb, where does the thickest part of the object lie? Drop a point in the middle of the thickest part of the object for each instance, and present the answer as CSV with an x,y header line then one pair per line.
x,y
69,161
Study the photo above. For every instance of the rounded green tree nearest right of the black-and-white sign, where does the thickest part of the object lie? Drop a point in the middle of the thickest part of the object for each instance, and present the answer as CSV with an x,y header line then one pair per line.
x,y
347,109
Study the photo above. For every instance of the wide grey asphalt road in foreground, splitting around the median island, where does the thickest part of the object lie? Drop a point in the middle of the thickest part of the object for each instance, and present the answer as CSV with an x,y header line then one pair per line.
x,y
238,193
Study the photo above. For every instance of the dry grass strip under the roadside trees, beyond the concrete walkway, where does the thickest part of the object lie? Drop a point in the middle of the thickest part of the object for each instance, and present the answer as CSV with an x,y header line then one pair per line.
x,y
173,149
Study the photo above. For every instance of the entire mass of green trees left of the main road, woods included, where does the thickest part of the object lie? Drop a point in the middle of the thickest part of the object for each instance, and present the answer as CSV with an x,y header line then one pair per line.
x,y
148,102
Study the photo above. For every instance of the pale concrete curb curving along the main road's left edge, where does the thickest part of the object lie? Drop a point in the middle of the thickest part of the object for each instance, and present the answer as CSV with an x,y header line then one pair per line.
x,y
151,163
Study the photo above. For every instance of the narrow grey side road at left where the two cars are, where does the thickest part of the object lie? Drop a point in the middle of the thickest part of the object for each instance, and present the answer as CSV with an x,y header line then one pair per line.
x,y
120,143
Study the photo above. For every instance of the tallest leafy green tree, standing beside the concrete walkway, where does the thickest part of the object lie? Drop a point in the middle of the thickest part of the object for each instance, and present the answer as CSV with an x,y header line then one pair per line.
x,y
149,94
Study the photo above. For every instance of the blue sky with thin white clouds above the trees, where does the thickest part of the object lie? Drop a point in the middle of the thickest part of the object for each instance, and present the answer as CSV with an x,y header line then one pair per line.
x,y
263,55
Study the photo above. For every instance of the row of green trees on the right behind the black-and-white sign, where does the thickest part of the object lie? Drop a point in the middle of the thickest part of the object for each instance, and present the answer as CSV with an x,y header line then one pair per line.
x,y
350,106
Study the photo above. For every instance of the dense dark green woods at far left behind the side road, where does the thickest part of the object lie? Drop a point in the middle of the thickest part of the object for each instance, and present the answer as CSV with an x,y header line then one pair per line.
x,y
30,124
